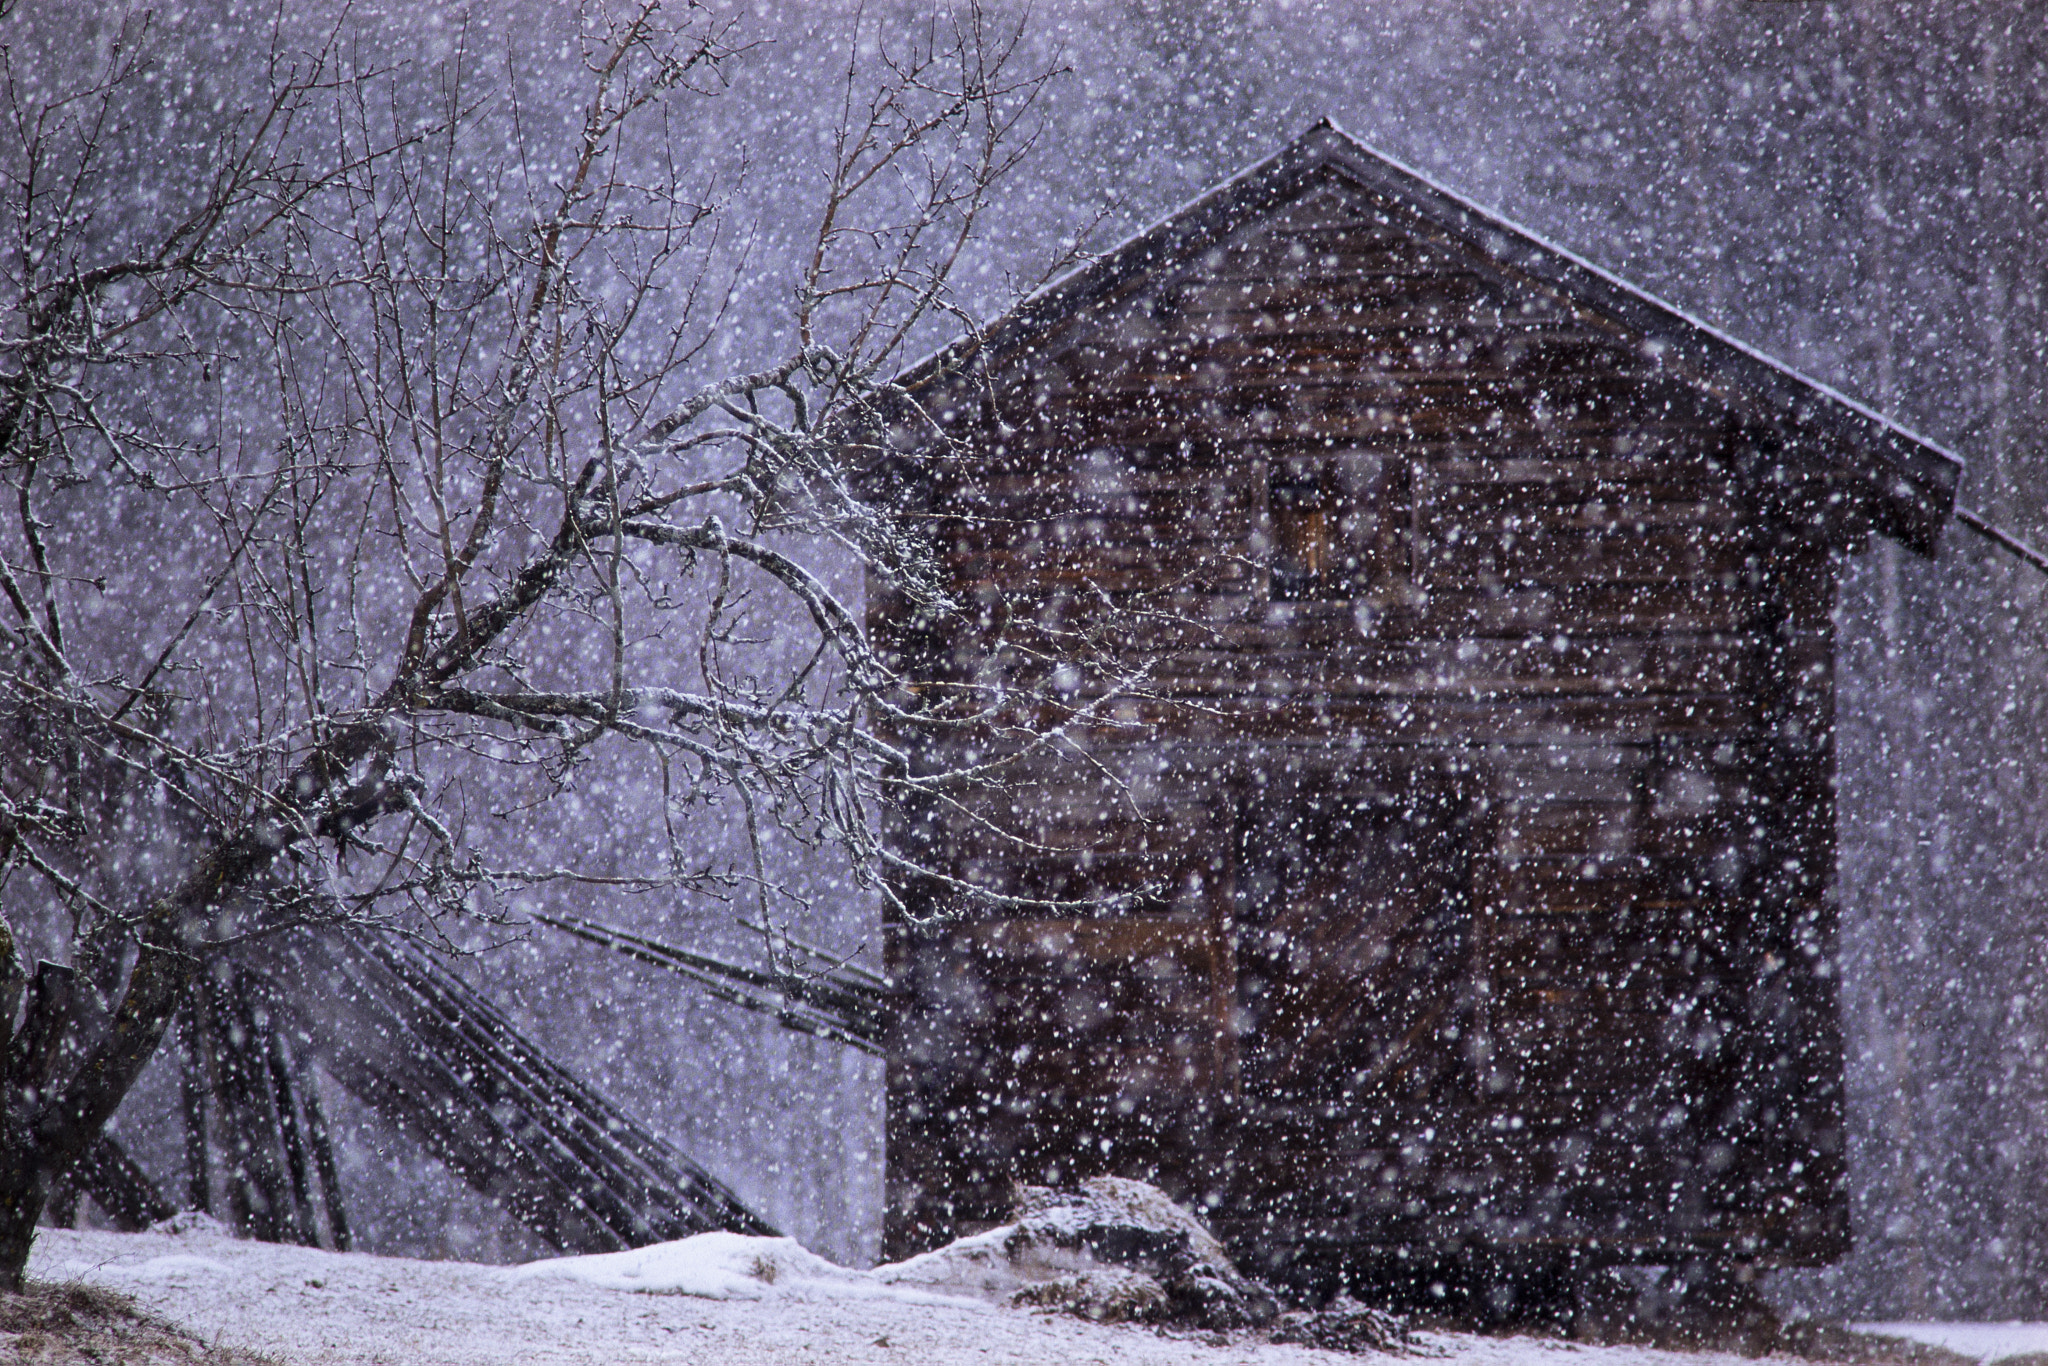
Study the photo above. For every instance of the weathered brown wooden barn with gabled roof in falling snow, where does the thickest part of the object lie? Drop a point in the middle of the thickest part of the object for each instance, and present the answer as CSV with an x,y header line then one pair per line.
x,y
1476,812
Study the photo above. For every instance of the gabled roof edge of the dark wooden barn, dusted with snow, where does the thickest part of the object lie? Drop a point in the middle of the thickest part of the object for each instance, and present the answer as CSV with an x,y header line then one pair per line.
x,y
1908,480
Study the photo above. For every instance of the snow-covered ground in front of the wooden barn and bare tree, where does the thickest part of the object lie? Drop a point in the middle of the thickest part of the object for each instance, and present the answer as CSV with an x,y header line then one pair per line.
x,y
775,1306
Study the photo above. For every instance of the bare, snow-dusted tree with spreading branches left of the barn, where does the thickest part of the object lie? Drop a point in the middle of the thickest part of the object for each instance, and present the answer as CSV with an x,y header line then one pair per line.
x,y
388,456
